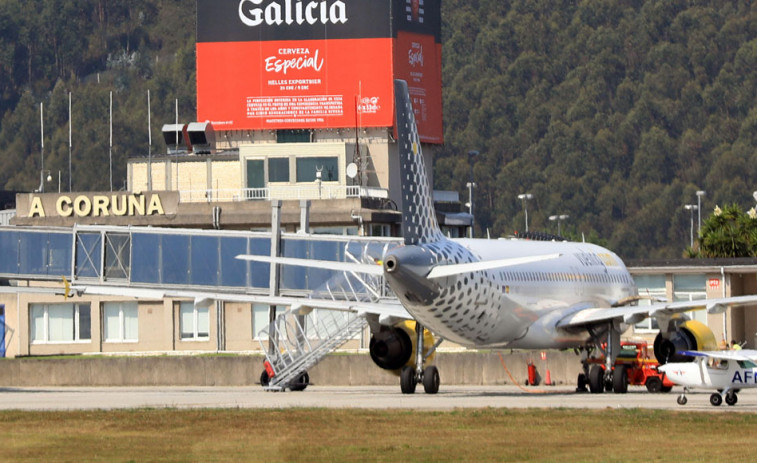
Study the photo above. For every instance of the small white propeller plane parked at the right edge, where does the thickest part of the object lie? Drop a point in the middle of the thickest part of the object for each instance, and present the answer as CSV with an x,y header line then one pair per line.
x,y
726,371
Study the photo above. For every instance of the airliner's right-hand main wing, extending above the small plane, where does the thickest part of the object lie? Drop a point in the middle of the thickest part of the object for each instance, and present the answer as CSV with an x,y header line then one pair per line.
x,y
634,314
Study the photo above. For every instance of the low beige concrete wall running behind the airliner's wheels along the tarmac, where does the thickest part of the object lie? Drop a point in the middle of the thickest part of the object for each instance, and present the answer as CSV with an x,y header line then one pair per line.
x,y
358,369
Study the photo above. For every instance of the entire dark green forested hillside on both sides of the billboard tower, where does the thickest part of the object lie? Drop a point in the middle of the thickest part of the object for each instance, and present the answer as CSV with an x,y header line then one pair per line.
x,y
614,112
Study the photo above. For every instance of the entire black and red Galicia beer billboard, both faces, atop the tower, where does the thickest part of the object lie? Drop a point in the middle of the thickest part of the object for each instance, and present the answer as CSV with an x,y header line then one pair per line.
x,y
279,64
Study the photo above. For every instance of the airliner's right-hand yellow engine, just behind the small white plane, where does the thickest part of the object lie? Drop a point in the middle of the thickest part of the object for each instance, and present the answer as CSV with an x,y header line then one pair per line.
x,y
688,335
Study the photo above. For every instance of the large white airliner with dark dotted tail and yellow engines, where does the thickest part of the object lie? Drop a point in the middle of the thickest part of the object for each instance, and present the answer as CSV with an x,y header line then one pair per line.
x,y
506,293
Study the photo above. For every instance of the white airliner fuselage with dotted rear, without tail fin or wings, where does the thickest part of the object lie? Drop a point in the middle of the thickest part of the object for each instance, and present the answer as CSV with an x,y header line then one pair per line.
x,y
513,306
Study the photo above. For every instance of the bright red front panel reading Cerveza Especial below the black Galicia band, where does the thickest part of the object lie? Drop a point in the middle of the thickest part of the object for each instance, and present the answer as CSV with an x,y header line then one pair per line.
x,y
295,84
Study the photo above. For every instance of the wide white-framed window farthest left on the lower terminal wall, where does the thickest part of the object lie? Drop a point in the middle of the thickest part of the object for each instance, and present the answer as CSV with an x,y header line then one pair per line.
x,y
60,323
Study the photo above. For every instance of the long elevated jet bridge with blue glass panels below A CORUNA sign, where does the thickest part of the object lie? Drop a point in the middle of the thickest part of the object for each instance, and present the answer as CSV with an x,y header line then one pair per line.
x,y
177,258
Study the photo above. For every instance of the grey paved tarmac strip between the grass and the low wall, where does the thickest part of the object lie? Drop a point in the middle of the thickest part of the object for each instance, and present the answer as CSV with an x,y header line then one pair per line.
x,y
374,397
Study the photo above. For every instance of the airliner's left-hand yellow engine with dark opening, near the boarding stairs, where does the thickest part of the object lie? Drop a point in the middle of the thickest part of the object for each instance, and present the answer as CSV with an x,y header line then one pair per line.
x,y
394,347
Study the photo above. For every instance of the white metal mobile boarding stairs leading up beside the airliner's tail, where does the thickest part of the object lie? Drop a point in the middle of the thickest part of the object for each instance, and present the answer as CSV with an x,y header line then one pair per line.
x,y
297,340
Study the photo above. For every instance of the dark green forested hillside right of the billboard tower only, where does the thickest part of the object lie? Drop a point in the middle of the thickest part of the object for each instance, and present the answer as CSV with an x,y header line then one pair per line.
x,y
614,112
